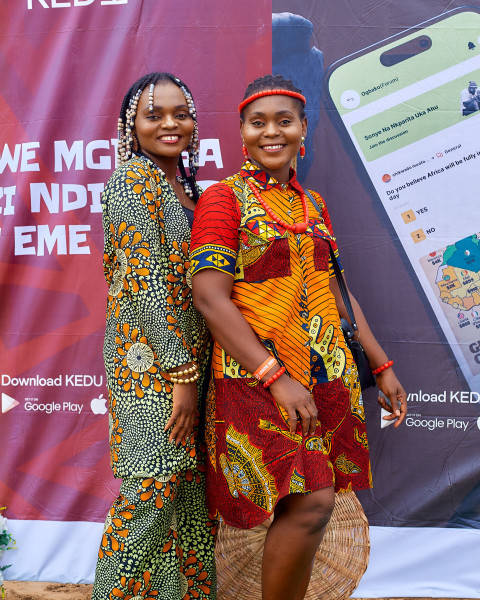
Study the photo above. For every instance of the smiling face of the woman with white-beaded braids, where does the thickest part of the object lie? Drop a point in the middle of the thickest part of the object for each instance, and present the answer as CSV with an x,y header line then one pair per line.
x,y
167,131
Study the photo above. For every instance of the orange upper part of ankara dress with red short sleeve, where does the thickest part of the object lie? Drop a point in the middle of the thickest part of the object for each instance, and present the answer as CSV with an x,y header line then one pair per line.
x,y
281,280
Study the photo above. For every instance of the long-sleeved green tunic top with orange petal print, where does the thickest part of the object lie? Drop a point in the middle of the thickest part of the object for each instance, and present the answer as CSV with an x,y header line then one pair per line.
x,y
152,325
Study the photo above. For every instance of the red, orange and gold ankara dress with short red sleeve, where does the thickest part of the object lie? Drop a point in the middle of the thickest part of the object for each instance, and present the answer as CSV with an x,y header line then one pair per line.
x,y
281,286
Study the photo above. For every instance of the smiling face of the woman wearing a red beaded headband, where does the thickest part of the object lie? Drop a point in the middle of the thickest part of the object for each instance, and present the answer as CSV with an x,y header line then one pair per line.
x,y
272,130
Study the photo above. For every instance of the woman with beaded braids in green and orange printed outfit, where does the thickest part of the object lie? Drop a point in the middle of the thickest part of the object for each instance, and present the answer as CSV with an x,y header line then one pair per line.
x,y
158,539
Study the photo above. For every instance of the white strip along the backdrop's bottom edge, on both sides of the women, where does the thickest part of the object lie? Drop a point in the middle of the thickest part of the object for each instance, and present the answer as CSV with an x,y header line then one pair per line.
x,y
404,561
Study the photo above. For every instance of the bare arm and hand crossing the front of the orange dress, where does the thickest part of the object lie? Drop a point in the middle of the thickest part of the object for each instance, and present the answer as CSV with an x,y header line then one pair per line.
x,y
211,296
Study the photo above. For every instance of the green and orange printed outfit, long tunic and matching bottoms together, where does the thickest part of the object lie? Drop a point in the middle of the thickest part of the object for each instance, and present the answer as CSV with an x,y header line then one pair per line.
x,y
158,539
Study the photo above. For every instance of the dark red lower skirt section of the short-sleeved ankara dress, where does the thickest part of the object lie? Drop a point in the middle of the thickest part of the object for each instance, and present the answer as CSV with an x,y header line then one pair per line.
x,y
254,460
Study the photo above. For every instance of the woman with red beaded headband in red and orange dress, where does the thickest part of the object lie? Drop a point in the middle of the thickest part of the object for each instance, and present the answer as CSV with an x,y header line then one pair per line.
x,y
285,420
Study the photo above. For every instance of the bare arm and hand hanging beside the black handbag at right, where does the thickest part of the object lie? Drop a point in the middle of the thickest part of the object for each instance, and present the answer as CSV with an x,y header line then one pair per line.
x,y
387,381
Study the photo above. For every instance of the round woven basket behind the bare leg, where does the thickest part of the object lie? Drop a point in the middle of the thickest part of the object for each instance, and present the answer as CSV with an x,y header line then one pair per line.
x,y
340,561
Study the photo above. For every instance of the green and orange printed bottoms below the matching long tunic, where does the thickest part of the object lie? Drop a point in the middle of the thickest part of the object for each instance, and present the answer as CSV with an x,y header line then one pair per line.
x,y
158,541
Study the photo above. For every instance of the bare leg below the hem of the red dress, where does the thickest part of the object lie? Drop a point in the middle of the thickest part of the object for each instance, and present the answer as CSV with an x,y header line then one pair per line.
x,y
291,543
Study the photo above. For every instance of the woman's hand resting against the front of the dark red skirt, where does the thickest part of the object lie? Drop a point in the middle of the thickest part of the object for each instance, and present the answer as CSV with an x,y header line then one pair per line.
x,y
297,401
